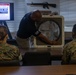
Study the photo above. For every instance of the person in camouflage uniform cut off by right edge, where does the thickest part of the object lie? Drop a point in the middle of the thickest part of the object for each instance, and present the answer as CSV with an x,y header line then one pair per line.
x,y
69,50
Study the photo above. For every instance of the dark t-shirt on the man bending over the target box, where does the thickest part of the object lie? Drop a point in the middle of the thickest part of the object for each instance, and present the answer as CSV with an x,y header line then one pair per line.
x,y
27,27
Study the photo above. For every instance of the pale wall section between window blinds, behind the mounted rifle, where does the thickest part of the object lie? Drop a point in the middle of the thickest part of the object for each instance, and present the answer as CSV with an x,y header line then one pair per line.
x,y
33,7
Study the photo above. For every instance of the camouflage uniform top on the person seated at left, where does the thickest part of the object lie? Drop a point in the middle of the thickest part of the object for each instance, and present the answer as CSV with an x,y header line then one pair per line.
x,y
9,52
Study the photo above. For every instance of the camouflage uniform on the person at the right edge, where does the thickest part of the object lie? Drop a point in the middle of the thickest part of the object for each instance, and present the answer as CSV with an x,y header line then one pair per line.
x,y
69,52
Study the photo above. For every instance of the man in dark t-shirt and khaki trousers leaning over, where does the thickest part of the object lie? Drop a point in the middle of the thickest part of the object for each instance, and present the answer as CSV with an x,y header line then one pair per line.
x,y
27,28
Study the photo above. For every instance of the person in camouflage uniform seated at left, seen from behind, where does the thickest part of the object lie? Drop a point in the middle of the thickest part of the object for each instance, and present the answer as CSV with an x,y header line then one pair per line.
x,y
7,51
